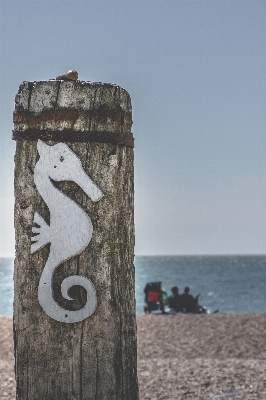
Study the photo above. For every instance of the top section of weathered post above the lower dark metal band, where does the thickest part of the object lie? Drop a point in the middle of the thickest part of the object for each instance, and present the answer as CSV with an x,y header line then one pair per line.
x,y
79,106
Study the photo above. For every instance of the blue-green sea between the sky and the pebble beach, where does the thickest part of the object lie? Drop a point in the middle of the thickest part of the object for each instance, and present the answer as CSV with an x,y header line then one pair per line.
x,y
228,283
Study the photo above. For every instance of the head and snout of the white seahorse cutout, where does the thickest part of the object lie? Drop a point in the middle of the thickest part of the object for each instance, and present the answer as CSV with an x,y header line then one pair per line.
x,y
60,163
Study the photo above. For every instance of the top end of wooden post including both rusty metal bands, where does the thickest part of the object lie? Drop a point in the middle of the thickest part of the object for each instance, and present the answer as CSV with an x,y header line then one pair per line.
x,y
67,109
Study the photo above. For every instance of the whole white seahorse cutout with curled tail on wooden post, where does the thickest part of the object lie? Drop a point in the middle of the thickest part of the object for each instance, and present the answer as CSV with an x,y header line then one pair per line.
x,y
70,229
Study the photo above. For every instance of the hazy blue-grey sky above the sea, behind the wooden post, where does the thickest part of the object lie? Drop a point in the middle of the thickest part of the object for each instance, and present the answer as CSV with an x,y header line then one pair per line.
x,y
195,71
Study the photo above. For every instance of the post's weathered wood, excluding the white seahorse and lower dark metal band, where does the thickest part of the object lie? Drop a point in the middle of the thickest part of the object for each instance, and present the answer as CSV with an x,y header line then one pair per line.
x,y
95,358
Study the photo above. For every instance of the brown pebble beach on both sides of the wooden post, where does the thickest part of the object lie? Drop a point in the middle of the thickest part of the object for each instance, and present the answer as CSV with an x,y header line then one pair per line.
x,y
219,356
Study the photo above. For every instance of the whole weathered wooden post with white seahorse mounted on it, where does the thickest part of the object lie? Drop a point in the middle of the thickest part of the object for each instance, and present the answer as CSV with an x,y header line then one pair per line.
x,y
74,194
